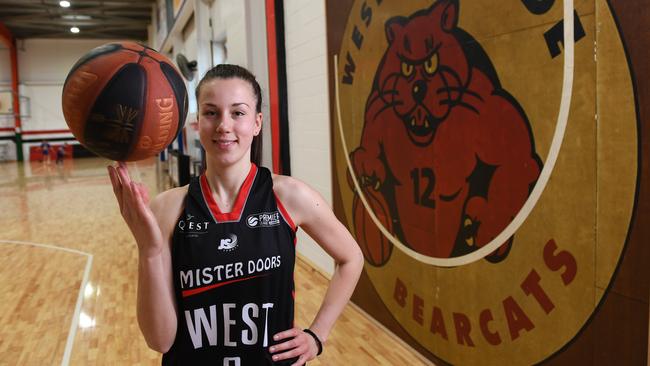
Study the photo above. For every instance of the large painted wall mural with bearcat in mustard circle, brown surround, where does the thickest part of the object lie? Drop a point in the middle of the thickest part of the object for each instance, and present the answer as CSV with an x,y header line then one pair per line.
x,y
454,114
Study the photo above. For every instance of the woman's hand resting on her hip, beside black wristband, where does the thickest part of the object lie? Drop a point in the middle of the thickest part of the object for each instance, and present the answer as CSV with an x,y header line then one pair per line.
x,y
297,344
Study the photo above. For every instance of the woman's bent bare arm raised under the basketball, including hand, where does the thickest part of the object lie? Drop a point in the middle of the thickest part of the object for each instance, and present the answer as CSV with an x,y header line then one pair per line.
x,y
152,227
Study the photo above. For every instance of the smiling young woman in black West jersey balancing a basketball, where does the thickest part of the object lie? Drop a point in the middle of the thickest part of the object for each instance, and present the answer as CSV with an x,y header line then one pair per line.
x,y
216,257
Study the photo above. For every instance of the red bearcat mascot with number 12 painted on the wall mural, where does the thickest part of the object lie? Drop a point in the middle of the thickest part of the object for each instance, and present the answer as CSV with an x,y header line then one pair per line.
x,y
447,157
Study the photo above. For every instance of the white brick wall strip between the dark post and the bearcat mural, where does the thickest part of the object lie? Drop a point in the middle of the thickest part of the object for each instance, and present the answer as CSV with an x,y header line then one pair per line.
x,y
308,100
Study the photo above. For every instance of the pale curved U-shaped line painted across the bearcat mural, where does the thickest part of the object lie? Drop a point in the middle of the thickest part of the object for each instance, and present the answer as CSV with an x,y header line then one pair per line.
x,y
536,193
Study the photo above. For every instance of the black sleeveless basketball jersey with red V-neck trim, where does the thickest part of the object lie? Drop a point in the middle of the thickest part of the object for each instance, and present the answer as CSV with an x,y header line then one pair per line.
x,y
233,275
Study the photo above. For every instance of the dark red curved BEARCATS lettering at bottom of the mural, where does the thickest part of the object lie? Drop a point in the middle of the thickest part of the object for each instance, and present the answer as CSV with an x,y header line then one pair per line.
x,y
516,317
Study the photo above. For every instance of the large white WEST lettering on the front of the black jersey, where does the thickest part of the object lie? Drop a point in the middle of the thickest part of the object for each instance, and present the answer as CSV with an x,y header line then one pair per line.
x,y
253,316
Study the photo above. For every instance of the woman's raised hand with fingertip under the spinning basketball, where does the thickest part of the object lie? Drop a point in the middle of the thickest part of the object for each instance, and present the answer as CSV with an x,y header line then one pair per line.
x,y
133,199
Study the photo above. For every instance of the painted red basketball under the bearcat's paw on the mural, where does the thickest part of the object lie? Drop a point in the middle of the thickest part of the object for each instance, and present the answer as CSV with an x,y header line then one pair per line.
x,y
375,246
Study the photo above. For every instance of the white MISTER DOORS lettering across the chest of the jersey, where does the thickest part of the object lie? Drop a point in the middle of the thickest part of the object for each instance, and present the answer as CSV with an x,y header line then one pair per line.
x,y
223,272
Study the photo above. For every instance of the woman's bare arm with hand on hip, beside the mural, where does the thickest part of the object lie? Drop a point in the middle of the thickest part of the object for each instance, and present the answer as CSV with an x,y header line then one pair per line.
x,y
309,210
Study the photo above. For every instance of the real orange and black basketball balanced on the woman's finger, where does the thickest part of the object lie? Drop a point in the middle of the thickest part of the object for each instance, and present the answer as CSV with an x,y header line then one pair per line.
x,y
124,101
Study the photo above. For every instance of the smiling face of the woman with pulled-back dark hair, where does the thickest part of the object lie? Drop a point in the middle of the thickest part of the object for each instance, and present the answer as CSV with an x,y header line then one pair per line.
x,y
228,120
